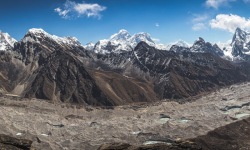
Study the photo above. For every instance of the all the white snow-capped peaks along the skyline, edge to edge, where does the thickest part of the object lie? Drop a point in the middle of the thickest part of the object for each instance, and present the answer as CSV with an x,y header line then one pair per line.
x,y
237,49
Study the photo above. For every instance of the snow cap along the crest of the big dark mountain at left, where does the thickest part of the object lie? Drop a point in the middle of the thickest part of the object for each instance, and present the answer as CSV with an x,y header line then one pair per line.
x,y
38,35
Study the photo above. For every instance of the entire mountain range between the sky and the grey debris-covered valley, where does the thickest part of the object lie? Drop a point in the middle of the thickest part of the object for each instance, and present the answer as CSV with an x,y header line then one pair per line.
x,y
120,70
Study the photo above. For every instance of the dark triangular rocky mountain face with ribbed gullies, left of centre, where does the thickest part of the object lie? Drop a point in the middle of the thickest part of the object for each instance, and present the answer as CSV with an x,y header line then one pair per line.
x,y
63,78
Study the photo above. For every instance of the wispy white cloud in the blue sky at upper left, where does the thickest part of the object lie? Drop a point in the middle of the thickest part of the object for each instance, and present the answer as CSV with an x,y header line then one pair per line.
x,y
72,9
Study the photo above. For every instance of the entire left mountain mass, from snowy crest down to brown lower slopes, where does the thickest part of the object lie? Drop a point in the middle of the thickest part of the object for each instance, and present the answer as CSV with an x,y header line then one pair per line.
x,y
43,63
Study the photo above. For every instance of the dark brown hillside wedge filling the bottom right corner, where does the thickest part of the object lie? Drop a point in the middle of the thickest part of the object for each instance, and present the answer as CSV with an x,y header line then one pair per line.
x,y
234,136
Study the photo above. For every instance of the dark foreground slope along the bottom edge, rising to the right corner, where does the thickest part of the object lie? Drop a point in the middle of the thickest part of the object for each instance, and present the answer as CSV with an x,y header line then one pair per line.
x,y
233,136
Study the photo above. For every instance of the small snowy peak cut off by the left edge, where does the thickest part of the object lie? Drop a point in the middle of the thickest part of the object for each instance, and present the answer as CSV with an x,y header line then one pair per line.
x,y
6,41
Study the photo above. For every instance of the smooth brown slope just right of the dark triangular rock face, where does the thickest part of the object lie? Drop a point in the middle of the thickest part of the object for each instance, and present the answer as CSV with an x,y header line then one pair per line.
x,y
124,90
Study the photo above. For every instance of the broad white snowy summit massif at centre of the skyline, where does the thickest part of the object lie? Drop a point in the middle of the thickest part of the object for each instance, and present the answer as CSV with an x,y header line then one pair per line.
x,y
123,41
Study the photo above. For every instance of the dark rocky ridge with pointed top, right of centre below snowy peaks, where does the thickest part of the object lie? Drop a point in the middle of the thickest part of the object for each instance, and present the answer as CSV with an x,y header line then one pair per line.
x,y
175,75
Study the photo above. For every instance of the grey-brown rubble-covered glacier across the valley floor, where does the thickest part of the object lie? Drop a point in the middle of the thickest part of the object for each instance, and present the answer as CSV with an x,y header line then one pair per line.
x,y
66,126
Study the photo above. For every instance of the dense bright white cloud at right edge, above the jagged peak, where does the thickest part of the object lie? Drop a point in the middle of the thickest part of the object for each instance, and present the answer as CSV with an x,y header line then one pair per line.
x,y
229,22
